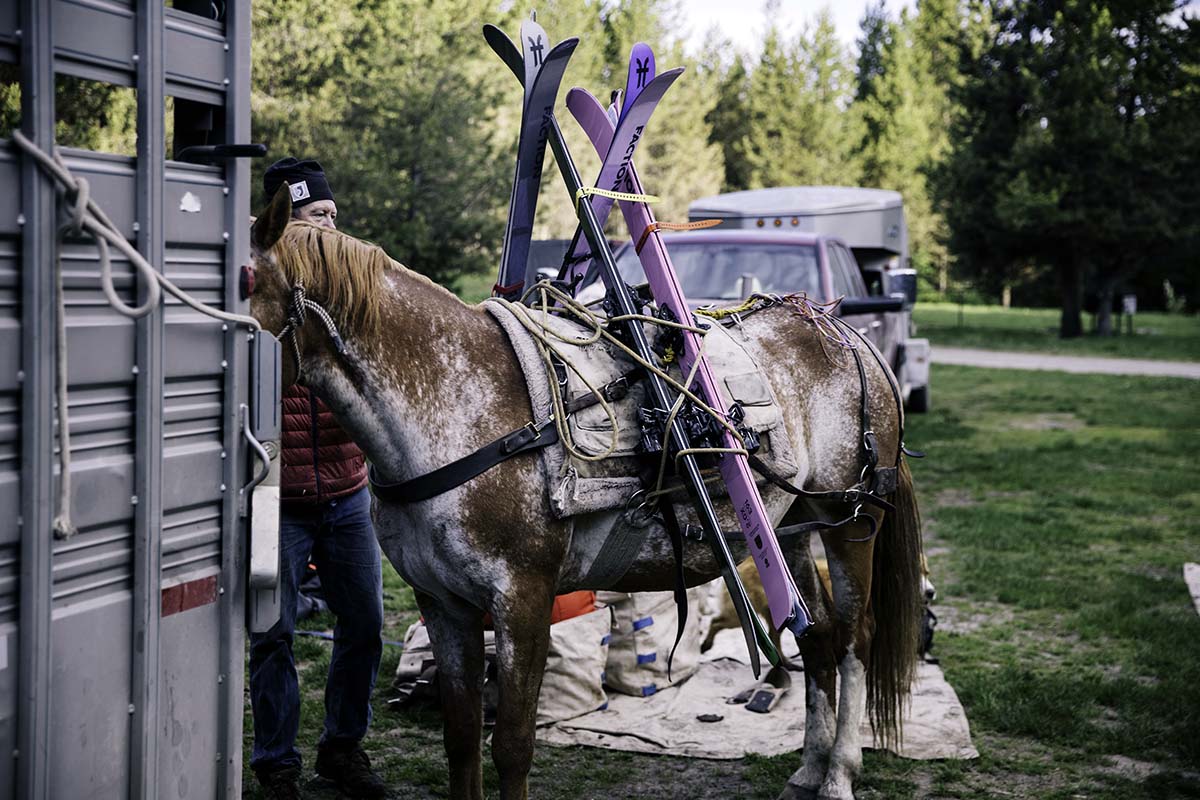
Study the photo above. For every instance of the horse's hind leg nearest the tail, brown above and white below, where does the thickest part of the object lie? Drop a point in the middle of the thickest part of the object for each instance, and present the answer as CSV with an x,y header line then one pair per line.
x,y
850,574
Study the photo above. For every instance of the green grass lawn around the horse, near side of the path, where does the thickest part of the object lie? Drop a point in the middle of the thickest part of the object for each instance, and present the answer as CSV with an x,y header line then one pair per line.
x,y
1059,512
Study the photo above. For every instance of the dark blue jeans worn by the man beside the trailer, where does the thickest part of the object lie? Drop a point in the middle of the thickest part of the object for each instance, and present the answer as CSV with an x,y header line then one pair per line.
x,y
340,540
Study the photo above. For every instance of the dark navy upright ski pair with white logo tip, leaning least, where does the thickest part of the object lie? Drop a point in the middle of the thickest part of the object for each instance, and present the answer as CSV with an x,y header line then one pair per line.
x,y
543,73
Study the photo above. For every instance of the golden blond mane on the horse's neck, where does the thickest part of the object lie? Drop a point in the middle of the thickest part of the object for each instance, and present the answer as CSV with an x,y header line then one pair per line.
x,y
338,270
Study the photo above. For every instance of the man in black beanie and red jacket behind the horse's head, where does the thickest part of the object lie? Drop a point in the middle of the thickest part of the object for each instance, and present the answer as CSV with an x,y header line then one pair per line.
x,y
326,516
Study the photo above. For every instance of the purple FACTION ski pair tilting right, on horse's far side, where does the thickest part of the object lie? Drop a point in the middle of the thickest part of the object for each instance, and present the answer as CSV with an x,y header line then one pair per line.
x,y
640,105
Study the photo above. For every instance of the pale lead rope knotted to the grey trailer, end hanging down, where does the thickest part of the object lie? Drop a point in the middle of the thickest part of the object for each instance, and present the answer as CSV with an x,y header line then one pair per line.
x,y
88,216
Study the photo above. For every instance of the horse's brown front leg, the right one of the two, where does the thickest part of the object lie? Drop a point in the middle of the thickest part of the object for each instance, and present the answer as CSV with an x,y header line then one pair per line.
x,y
523,637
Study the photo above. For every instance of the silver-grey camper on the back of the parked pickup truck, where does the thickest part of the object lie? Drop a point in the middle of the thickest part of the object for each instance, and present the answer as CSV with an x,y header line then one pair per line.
x,y
872,222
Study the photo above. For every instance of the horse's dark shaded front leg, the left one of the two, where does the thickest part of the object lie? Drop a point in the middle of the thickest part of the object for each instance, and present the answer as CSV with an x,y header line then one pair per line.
x,y
457,631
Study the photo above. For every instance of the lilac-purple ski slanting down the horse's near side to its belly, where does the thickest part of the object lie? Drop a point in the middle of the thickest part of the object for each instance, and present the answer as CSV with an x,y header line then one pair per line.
x,y
788,609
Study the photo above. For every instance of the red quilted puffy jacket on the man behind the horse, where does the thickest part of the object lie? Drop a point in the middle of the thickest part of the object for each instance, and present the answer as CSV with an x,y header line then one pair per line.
x,y
320,460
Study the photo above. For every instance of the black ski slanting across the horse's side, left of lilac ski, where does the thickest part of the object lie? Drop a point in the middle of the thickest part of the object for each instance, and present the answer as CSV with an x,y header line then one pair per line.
x,y
621,296
